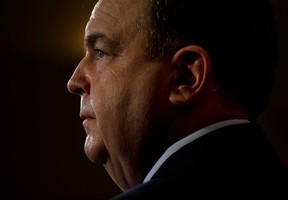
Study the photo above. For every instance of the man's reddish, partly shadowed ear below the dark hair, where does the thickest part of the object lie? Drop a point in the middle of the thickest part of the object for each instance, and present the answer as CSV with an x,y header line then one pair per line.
x,y
193,68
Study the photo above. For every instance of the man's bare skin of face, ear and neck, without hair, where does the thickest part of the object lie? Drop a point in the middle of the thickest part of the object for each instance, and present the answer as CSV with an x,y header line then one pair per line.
x,y
134,107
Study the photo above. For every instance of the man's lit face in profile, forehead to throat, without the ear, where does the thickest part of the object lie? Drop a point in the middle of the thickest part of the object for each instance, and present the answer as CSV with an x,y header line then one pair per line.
x,y
118,83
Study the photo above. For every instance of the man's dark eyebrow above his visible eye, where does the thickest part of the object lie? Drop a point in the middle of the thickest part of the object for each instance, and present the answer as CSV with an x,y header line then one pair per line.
x,y
91,39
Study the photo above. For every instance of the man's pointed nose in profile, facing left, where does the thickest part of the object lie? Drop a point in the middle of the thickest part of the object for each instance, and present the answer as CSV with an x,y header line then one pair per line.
x,y
78,83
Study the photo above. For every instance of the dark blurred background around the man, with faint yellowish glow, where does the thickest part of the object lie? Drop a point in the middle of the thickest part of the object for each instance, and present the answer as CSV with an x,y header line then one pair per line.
x,y
42,136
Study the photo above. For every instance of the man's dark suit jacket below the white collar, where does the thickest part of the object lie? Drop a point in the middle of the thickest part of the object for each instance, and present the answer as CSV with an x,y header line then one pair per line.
x,y
234,162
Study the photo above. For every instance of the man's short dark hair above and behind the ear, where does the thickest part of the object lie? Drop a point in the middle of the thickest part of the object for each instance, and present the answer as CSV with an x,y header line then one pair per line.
x,y
240,37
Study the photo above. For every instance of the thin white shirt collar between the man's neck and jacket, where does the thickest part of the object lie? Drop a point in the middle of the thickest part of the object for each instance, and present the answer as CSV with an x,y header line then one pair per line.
x,y
188,139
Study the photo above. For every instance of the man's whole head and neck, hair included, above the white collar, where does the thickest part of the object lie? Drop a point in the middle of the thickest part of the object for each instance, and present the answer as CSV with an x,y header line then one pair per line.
x,y
155,71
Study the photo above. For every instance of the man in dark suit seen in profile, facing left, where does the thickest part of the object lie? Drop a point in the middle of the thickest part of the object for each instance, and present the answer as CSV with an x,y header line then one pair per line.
x,y
170,91
